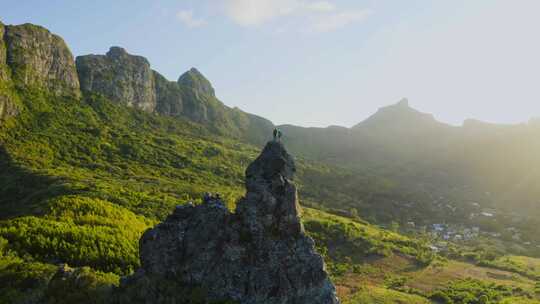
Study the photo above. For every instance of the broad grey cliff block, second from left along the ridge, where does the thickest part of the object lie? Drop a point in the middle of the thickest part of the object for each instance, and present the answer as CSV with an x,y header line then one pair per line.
x,y
119,76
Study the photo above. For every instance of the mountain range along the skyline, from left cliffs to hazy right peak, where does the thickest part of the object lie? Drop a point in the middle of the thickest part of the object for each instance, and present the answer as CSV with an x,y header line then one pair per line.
x,y
410,148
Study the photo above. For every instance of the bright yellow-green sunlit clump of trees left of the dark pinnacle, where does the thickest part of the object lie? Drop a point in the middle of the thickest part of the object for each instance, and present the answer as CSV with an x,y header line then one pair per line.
x,y
80,231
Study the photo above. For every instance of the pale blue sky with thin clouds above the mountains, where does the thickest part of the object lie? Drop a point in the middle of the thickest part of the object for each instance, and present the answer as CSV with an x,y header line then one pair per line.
x,y
320,63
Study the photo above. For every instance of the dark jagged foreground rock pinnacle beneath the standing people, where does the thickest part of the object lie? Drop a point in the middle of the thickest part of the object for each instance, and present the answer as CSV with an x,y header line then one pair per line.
x,y
258,254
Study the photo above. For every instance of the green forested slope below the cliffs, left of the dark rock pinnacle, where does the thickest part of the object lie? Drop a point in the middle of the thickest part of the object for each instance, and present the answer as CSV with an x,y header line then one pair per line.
x,y
82,179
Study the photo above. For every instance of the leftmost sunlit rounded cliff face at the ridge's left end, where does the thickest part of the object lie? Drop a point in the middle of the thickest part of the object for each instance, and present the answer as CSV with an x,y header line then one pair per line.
x,y
38,58
